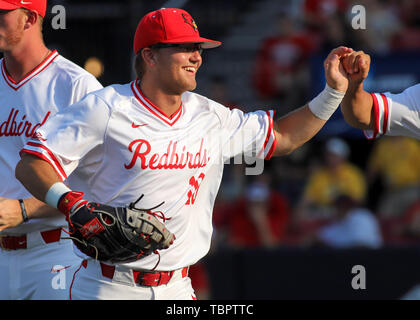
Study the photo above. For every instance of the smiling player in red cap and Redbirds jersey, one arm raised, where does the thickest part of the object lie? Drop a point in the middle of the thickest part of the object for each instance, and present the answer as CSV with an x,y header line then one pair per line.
x,y
155,137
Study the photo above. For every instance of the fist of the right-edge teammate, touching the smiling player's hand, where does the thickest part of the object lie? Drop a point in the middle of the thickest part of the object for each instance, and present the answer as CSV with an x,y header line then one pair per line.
x,y
357,66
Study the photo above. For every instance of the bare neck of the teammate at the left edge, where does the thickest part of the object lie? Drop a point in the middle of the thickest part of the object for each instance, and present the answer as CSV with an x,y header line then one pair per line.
x,y
24,58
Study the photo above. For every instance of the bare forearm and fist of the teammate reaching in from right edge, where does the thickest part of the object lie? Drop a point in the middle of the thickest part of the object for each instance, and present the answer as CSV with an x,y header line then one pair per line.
x,y
357,104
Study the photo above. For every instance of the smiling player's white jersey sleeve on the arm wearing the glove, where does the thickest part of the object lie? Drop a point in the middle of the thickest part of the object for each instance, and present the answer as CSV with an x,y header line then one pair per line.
x,y
70,134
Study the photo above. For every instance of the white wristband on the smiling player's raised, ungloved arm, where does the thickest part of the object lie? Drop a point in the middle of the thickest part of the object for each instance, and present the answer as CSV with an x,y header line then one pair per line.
x,y
325,104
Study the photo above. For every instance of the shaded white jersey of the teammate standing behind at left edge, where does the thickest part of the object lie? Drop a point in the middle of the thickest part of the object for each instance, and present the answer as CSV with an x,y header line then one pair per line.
x,y
53,85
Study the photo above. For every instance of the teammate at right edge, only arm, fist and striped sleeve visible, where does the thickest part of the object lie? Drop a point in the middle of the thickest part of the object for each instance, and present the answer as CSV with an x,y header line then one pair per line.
x,y
378,113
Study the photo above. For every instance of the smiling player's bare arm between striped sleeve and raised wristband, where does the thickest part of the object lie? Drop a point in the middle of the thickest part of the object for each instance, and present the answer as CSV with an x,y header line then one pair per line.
x,y
296,128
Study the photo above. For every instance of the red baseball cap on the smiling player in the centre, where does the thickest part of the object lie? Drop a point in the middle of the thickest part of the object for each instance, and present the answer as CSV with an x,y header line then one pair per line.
x,y
169,25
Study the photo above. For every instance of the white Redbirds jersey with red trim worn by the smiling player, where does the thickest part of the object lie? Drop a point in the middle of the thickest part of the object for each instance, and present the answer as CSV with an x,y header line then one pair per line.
x,y
117,146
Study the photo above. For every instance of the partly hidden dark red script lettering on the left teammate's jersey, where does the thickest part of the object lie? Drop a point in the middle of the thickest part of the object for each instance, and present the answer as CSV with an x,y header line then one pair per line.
x,y
10,127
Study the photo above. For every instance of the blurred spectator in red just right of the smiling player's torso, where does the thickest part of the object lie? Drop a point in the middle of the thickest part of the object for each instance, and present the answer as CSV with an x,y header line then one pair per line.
x,y
259,217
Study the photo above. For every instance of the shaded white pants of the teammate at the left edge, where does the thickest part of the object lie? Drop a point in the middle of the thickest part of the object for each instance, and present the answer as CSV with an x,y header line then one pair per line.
x,y
40,272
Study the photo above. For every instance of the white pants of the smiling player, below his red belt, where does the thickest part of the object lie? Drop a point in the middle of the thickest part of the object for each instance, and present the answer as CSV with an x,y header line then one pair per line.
x,y
90,284
